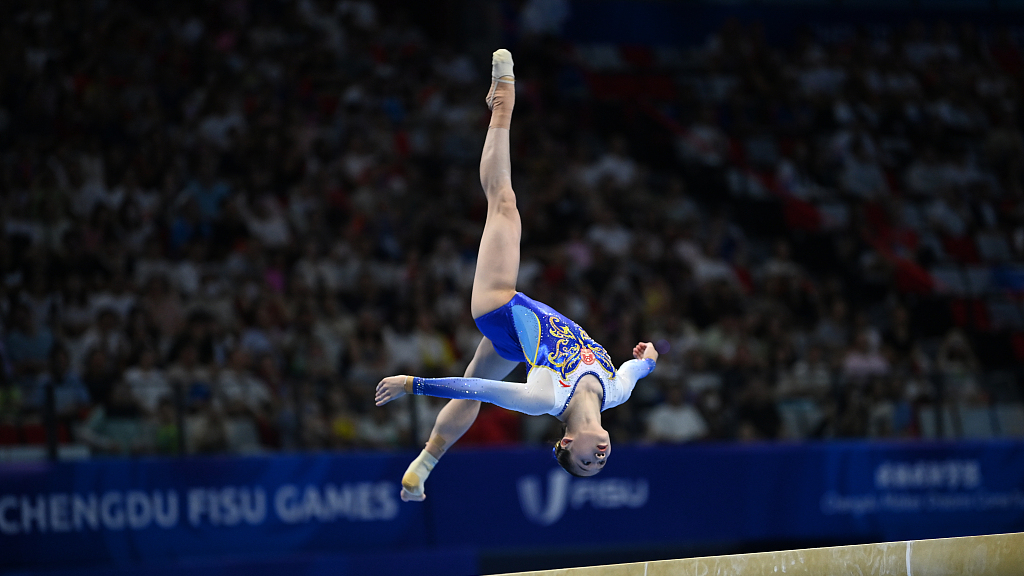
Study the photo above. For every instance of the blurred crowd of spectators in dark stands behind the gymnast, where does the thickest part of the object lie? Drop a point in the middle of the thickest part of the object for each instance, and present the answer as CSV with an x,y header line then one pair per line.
x,y
241,216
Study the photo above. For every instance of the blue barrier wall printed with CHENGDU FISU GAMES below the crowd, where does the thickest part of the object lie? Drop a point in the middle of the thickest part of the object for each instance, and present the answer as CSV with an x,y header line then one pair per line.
x,y
169,512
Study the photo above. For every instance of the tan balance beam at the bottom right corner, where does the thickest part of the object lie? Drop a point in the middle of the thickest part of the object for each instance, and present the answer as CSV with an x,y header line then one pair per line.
x,y
999,555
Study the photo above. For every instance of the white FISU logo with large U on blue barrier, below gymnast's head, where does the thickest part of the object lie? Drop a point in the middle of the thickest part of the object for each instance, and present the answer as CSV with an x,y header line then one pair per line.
x,y
565,492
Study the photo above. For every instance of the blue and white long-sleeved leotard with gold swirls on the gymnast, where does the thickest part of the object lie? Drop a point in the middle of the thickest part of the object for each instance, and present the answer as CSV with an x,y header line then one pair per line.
x,y
560,354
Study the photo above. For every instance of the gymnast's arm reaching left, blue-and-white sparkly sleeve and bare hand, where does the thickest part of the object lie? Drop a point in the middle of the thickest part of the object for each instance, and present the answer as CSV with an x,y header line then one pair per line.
x,y
533,398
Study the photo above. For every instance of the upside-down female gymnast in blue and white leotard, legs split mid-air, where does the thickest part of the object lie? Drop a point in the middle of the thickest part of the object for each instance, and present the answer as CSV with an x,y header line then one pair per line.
x,y
571,376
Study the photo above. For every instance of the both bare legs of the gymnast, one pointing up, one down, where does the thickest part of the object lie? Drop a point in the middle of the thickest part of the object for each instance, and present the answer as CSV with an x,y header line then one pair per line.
x,y
497,270
